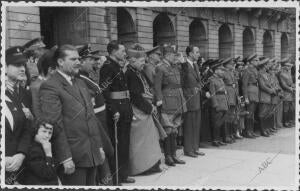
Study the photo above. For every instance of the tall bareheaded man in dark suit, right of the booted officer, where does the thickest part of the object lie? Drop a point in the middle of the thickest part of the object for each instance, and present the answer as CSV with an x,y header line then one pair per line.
x,y
191,91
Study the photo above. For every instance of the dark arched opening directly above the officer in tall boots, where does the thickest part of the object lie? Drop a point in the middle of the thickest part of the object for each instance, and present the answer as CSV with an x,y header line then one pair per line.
x,y
163,30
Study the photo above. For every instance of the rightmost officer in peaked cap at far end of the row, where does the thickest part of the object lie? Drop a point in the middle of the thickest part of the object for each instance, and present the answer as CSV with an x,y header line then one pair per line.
x,y
286,82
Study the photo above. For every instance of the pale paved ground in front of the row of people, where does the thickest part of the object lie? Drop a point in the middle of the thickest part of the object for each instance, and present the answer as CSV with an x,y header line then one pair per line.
x,y
256,163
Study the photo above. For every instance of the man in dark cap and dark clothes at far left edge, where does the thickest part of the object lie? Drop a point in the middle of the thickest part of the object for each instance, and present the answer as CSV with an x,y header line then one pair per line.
x,y
17,114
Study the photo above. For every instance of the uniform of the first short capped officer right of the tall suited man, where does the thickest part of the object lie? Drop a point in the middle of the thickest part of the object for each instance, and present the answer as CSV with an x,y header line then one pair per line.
x,y
219,104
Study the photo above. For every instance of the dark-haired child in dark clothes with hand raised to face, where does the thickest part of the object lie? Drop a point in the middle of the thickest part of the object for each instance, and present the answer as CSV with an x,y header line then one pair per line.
x,y
40,168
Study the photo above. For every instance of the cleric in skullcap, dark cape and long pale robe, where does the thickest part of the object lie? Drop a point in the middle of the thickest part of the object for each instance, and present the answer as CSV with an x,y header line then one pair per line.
x,y
144,150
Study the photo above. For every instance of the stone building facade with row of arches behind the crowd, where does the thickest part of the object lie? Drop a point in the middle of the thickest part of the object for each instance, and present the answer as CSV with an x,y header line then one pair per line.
x,y
219,32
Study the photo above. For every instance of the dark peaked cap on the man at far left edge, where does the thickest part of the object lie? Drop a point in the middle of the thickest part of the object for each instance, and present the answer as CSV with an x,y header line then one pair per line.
x,y
14,56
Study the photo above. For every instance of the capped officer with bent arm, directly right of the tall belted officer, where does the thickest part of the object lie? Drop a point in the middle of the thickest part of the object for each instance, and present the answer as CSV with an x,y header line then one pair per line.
x,y
265,98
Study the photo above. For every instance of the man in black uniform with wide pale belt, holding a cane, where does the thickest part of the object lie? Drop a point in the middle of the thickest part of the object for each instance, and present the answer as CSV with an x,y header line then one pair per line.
x,y
115,90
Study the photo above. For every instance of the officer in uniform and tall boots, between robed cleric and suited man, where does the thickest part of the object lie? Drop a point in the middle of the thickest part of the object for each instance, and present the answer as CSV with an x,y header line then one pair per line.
x,y
169,95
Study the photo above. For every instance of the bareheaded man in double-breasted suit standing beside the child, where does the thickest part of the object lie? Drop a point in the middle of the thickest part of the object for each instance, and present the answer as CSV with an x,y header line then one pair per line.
x,y
65,101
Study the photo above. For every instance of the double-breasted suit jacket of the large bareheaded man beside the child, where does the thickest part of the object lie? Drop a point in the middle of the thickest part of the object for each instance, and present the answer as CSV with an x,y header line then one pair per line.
x,y
77,132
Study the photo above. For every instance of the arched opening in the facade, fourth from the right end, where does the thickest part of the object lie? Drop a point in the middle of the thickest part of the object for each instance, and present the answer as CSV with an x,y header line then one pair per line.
x,y
225,42
